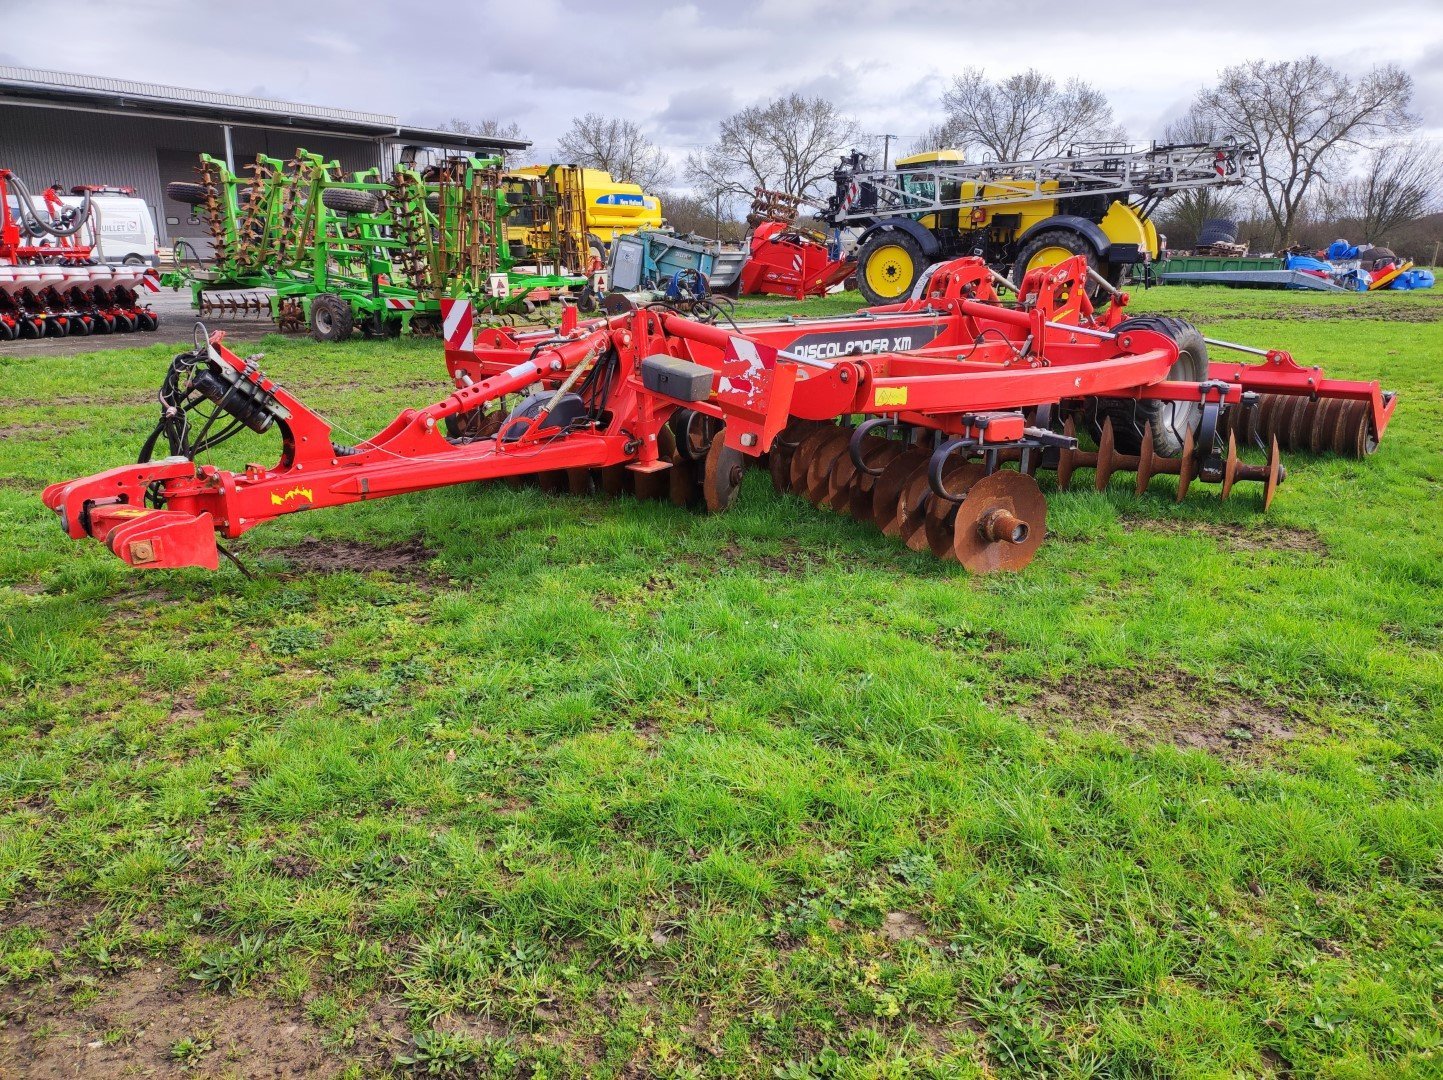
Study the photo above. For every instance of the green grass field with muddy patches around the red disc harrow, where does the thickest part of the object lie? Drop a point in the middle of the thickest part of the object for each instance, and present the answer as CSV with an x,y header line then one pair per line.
x,y
491,783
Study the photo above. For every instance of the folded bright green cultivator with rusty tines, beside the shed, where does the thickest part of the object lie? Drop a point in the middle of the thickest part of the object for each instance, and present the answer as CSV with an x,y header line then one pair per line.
x,y
301,245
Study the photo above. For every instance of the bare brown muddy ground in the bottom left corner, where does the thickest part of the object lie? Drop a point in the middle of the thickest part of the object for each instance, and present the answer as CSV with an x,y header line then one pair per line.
x,y
152,1022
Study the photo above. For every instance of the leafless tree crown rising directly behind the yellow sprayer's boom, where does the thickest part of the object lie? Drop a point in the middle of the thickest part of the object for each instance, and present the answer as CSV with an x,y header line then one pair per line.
x,y
1024,118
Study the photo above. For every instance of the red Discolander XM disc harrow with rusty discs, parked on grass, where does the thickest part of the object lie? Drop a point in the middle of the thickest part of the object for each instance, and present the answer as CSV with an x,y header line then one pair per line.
x,y
929,418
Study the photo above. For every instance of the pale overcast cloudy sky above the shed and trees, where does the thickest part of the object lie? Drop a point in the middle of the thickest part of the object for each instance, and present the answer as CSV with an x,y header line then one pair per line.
x,y
676,69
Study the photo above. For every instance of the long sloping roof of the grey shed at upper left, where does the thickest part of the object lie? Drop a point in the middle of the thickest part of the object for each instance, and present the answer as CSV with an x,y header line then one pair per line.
x,y
32,86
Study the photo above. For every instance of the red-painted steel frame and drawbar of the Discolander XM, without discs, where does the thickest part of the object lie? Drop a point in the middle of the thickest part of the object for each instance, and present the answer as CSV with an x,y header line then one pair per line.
x,y
981,366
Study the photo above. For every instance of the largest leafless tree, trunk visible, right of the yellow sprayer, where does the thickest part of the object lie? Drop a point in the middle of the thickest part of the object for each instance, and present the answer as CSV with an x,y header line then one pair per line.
x,y
1302,116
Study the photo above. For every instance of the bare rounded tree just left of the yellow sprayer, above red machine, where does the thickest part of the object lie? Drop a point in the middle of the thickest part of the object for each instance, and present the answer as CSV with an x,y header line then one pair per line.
x,y
787,145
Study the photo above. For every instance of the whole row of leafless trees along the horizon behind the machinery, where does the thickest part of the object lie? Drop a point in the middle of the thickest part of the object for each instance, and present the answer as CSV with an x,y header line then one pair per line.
x,y
1338,154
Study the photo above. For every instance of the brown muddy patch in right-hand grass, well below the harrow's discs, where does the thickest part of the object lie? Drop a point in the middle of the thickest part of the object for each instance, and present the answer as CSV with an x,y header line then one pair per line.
x,y
1171,707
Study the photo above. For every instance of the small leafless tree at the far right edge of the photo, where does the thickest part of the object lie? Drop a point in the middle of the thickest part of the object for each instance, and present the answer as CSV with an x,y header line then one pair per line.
x,y
1396,187
